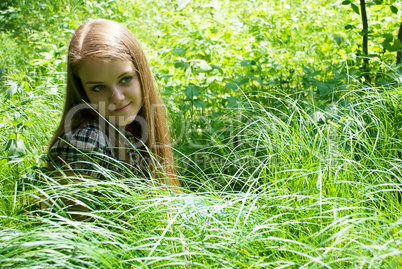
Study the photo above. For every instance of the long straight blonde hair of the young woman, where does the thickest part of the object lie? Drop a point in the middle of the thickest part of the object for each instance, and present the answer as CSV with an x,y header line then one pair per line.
x,y
108,41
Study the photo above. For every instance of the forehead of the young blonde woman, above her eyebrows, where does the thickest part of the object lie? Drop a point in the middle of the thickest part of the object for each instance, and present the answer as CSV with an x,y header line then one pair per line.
x,y
100,70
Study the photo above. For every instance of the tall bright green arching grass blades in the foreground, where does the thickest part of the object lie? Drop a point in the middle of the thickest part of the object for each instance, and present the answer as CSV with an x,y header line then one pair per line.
x,y
294,192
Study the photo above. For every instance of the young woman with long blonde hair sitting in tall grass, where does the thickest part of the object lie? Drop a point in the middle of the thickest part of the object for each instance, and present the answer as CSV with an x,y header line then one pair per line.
x,y
113,116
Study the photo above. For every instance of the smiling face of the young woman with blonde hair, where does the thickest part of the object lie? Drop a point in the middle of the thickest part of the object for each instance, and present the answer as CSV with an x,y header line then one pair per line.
x,y
113,88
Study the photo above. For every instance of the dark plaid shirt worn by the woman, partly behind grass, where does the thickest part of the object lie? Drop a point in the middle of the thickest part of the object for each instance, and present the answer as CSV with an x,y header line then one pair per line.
x,y
90,151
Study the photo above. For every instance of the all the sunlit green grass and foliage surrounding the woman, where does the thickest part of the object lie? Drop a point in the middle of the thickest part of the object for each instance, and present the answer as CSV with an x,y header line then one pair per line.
x,y
289,156
